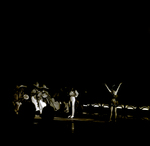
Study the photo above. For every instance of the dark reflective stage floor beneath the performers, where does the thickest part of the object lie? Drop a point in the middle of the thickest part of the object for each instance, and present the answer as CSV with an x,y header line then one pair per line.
x,y
86,129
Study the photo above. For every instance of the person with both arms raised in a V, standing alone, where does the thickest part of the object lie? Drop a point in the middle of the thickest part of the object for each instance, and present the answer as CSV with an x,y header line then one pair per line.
x,y
114,102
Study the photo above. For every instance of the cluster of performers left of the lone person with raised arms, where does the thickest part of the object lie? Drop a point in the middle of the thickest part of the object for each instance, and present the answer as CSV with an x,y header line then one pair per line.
x,y
41,98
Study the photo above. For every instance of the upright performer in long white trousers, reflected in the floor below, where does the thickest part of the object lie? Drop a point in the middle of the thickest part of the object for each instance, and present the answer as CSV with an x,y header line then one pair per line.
x,y
73,95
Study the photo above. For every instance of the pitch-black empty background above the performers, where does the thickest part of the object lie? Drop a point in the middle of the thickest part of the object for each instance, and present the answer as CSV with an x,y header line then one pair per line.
x,y
84,50
